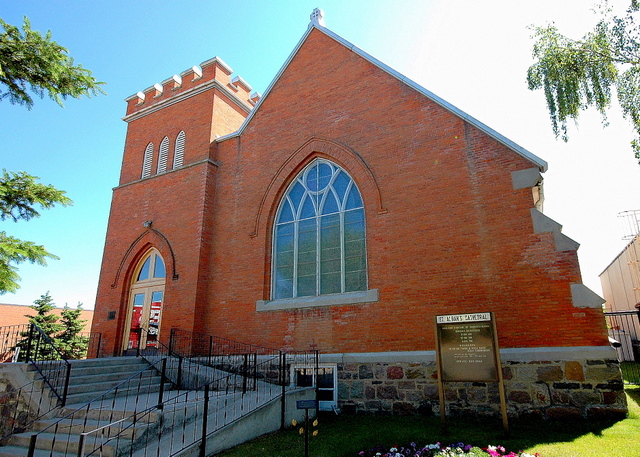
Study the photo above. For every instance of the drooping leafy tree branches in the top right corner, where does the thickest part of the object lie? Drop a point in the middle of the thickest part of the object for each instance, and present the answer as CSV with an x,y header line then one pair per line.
x,y
578,74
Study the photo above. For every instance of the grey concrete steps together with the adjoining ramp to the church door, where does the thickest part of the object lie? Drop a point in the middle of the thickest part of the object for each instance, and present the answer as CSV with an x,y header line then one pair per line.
x,y
175,429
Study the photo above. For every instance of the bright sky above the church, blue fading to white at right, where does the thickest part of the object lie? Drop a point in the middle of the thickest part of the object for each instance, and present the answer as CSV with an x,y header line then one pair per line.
x,y
474,54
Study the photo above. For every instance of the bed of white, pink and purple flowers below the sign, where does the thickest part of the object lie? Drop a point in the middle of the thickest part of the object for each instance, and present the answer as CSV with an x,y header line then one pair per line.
x,y
439,450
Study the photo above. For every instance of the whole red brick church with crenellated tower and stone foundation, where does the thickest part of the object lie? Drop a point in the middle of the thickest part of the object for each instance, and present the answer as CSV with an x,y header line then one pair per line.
x,y
342,211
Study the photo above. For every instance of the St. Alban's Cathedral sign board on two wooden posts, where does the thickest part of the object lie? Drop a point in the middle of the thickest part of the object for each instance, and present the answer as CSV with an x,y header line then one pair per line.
x,y
467,351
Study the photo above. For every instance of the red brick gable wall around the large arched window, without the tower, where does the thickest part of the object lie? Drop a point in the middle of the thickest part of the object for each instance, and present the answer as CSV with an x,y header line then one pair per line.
x,y
446,231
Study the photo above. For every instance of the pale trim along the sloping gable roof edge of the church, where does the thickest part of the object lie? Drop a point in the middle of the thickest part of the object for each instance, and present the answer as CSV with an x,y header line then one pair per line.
x,y
540,163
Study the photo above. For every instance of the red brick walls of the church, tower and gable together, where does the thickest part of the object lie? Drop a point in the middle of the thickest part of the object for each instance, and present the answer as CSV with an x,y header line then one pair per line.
x,y
446,231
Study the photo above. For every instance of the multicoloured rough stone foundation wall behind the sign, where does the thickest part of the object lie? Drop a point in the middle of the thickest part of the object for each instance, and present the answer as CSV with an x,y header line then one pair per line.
x,y
564,388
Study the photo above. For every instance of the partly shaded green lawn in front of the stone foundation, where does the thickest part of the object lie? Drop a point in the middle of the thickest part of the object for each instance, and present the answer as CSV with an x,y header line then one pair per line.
x,y
344,436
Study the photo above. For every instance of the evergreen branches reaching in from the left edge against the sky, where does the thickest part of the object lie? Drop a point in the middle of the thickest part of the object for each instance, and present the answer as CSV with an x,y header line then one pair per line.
x,y
32,63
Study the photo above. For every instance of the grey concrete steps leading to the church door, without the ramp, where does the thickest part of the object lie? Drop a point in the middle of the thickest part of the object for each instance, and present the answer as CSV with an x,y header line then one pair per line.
x,y
89,380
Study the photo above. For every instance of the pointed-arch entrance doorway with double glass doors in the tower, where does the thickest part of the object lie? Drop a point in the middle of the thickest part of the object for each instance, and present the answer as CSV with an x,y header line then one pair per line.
x,y
145,303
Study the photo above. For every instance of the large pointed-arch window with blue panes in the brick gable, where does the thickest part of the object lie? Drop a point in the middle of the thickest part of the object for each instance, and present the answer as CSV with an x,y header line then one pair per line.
x,y
319,235
